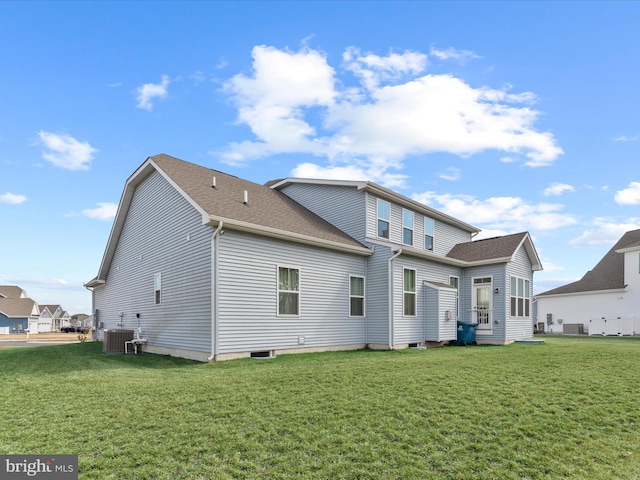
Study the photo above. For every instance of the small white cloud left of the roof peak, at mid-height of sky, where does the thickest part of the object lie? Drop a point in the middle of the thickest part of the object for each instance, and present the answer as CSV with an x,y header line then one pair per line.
x,y
66,152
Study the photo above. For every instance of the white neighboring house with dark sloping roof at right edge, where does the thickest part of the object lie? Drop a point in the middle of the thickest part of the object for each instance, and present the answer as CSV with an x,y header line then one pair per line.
x,y
605,301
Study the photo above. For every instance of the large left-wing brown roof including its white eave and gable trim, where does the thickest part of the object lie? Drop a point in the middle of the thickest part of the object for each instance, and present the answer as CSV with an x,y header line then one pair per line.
x,y
267,211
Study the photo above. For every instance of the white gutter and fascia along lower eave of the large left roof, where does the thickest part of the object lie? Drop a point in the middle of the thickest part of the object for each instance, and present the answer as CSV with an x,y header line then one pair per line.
x,y
238,225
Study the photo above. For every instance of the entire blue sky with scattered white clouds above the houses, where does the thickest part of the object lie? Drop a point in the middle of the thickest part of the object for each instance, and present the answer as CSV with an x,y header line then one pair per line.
x,y
511,116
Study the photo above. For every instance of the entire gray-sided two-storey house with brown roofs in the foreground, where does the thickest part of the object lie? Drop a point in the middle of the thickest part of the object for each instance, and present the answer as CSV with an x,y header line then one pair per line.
x,y
210,266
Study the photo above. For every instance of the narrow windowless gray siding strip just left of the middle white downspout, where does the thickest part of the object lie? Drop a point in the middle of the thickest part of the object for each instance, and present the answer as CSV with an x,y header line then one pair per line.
x,y
377,298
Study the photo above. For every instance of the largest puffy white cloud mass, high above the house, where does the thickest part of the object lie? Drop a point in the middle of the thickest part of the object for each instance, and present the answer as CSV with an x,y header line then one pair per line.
x,y
397,114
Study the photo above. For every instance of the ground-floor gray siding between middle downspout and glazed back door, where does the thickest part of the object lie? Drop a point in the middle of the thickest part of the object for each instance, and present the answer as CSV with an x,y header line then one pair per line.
x,y
415,329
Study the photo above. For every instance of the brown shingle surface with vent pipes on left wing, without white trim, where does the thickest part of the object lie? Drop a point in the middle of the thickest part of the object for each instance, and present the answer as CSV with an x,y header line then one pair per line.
x,y
265,206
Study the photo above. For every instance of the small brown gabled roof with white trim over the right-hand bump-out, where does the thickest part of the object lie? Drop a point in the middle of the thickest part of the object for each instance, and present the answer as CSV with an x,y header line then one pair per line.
x,y
495,249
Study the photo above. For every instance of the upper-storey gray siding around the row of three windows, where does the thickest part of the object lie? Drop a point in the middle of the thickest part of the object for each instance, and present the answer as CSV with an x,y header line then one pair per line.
x,y
445,235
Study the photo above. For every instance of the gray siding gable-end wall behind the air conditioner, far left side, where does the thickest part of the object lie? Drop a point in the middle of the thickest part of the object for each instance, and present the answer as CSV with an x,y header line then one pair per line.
x,y
154,240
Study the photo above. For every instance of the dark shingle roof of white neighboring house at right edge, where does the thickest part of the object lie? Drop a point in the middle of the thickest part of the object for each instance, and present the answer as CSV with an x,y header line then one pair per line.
x,y
608,274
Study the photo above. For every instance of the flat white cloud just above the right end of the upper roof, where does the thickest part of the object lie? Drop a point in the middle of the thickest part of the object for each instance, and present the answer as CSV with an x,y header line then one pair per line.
x,y
499,215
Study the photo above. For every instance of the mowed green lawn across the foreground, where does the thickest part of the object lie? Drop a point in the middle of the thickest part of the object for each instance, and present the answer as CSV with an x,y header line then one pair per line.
x,y
569,408
